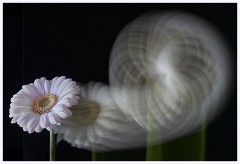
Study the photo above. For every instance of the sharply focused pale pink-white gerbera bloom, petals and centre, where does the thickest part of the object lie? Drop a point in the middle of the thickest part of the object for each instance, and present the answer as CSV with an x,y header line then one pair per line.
x,y
43,103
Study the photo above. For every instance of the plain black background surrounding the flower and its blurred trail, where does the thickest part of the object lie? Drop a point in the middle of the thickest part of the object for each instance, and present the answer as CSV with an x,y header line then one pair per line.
x,y
75,40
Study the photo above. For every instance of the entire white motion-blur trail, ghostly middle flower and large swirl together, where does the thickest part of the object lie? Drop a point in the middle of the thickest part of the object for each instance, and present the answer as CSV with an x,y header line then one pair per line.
x,y
169,74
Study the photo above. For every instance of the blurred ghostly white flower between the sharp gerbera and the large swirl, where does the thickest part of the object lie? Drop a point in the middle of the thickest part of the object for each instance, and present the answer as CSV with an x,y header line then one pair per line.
x,y
97,122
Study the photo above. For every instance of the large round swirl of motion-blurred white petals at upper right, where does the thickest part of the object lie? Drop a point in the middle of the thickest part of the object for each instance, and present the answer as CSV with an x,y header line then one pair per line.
x,y
170,72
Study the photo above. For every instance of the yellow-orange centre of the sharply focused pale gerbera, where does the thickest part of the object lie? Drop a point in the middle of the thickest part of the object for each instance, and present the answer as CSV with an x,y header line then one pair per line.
x,y
44,103
